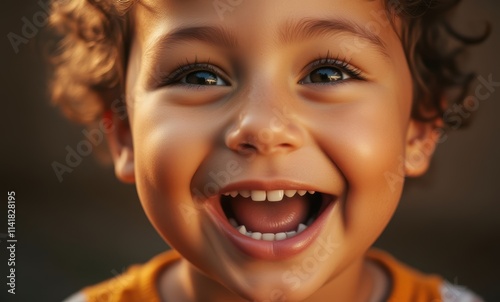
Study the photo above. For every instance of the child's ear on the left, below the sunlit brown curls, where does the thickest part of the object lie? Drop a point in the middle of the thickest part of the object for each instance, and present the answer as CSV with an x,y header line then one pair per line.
x,y
119,139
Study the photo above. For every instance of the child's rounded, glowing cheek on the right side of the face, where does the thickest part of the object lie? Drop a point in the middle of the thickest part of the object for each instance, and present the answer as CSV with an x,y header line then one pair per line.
x,y
365,140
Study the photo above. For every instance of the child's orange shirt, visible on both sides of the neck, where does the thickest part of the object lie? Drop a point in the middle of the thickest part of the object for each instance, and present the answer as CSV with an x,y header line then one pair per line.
x,y
139,282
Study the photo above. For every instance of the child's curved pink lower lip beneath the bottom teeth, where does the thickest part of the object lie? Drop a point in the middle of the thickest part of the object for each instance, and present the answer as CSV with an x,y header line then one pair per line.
x,y
270,250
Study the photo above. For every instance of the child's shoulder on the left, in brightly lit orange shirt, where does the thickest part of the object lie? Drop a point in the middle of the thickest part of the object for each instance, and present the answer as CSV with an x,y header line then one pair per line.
x,y
138,283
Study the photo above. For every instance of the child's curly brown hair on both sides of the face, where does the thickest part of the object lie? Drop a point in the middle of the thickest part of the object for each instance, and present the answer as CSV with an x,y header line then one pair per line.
x,y
90,53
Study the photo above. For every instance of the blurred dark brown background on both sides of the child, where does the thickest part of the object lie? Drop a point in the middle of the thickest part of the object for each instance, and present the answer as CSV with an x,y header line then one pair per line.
x,y
90,227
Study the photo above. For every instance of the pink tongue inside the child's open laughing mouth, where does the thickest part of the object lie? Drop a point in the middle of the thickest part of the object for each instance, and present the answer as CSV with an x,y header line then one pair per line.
x,y
270,217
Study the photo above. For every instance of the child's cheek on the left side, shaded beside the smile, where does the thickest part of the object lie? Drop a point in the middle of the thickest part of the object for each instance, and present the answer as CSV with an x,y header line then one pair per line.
x,y
167,154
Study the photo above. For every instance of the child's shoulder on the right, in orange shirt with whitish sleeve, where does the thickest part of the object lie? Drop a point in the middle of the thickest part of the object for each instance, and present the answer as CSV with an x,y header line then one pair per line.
x,y
409,284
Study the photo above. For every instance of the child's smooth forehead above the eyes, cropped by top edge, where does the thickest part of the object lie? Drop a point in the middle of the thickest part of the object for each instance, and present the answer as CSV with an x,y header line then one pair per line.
x,y
257,20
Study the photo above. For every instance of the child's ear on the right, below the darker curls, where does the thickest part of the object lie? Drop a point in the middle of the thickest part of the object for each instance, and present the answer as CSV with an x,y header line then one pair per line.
x,y
421,141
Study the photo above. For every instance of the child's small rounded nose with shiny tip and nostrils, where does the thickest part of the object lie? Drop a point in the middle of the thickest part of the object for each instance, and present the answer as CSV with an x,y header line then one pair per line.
x,y
265,128
